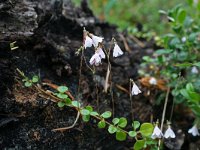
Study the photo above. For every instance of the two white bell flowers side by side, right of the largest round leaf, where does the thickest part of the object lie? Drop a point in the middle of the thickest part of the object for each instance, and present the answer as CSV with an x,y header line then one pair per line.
x,y
157,133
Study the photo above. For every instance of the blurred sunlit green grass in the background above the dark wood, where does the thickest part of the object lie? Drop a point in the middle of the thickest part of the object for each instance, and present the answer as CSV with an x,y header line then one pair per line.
x,y
128,14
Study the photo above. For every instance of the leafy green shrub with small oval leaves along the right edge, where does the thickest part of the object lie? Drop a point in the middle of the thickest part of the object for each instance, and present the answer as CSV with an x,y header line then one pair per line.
x,y
178,63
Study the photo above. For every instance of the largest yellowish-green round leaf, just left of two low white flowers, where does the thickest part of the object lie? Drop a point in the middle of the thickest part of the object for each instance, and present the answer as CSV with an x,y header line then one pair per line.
x,y
146,129
